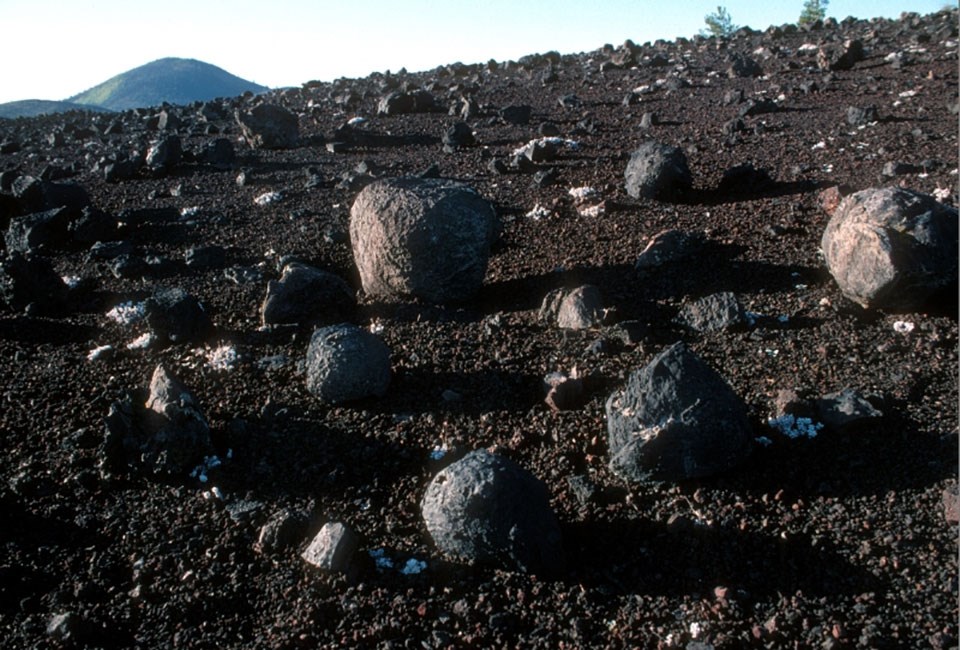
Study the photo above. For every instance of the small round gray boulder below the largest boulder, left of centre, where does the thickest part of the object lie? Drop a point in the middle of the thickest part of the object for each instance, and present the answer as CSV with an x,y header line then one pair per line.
x,y
346,363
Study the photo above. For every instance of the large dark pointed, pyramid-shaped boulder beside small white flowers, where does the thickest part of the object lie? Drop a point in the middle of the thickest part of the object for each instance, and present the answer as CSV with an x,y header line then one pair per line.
x,y
676,419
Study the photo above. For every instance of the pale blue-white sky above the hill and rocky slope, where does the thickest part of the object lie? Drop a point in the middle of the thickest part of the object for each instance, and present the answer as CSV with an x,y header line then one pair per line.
x,y
55,49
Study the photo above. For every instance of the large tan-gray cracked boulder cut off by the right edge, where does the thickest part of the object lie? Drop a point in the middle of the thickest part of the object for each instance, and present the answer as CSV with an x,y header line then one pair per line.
x,y
891,247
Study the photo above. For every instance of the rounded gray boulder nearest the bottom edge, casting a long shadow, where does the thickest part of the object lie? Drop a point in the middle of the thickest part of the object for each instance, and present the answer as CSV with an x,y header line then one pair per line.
x,y
485,509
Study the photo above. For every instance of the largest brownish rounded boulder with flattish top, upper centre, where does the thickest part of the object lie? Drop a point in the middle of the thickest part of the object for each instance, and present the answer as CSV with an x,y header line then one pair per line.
x,y
425,238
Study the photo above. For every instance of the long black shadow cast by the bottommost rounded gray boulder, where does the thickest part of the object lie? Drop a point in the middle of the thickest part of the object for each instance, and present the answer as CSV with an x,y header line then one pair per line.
x,y
634,557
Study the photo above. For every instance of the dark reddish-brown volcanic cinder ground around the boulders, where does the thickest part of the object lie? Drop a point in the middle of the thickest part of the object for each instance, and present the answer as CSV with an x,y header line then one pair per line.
x,y
841,540
